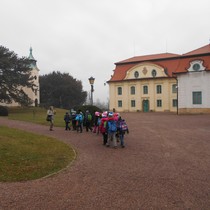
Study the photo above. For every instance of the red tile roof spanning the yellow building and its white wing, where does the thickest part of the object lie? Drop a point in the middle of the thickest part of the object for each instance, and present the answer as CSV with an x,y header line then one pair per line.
x,y
174,63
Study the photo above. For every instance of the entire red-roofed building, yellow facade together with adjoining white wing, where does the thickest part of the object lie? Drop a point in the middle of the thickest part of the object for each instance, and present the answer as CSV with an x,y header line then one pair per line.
x,y
162,82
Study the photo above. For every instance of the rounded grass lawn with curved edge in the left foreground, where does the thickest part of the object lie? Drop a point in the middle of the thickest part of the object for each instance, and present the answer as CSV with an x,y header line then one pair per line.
x,y
27,156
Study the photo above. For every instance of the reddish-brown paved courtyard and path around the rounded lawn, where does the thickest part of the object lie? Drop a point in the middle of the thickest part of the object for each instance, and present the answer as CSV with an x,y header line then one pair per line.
x,y
165,165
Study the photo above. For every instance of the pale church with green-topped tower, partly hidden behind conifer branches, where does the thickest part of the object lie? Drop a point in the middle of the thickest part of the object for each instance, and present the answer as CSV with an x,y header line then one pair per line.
x,y
35,93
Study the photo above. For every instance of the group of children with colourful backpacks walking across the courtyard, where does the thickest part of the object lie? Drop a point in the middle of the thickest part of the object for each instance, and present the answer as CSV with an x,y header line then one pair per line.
x,y
109,124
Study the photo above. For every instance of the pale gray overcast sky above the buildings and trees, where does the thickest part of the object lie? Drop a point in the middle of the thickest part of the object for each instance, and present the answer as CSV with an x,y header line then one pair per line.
x,y
86,37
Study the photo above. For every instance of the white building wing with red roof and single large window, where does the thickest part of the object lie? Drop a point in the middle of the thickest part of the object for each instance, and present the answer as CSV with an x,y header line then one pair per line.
x,y
193,76
